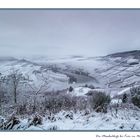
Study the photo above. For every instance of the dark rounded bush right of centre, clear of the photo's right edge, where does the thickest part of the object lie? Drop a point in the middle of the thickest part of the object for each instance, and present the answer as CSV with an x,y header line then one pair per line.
x,y
100,101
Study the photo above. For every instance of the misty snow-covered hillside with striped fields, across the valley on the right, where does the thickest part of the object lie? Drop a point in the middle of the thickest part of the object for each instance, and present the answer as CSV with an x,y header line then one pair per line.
x,y
114,72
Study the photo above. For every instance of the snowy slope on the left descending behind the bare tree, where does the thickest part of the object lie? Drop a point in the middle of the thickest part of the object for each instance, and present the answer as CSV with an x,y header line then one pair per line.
x,y
35,72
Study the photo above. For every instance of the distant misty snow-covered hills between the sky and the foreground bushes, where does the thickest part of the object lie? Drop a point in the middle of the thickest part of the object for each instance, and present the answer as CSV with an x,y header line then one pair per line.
x,y
114,72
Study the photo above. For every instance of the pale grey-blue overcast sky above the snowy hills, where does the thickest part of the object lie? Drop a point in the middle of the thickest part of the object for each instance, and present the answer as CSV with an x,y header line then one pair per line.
x,y
68,32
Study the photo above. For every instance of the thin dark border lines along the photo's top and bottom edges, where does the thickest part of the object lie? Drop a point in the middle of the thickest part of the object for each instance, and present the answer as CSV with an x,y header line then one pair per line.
x,y
70,9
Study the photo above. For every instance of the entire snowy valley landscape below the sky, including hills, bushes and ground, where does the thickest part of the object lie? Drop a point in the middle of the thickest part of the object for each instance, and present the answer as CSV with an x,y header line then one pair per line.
x,y
70,93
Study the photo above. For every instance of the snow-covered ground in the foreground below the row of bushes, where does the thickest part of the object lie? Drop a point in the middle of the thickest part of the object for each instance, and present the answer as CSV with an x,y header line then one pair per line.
x,y
124,120
